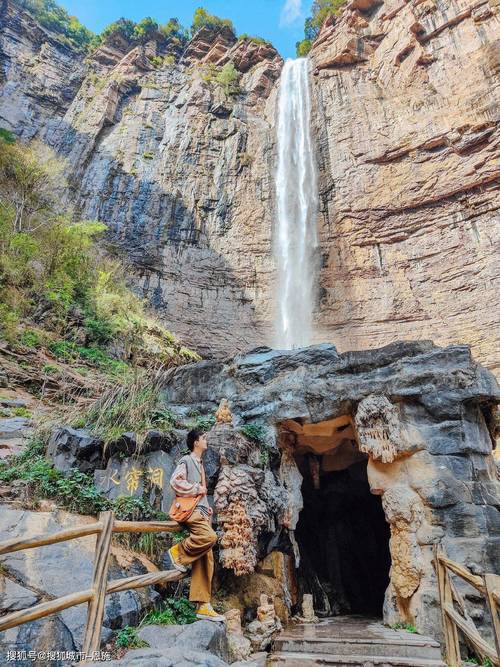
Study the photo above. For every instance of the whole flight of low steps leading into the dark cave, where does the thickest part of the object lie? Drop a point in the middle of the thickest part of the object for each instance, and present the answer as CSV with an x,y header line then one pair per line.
x,y
351,641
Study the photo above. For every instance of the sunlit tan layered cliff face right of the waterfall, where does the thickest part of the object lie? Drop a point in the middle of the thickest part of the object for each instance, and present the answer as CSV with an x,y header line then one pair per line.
x,y
406,119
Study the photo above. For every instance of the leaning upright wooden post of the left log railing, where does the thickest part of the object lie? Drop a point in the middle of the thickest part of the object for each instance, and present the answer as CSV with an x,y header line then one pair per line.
x,y
96,605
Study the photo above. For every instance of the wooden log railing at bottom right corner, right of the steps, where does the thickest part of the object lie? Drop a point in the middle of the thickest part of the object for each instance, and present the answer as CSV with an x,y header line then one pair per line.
x,y
455,616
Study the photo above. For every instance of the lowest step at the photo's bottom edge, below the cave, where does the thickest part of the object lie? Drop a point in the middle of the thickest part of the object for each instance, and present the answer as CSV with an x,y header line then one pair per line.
x,y
302,659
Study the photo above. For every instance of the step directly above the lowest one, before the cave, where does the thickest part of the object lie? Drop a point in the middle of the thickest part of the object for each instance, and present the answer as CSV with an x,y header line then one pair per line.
x,y
422,647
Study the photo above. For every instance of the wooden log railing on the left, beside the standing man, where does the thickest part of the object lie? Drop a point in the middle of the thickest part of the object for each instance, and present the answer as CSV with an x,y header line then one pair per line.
x,y
96,595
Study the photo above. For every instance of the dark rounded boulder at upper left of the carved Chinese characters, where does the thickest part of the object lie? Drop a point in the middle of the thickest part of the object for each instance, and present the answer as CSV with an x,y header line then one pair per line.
x,y
74,448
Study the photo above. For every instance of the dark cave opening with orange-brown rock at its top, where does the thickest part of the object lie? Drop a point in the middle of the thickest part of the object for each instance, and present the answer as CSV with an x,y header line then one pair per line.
x,y
342,534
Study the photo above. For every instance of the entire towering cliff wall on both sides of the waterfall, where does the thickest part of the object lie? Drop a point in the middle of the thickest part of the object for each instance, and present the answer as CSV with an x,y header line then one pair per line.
x,y
405,105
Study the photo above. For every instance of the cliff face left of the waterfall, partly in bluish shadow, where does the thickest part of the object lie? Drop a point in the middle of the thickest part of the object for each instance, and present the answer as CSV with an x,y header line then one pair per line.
x,y
180,170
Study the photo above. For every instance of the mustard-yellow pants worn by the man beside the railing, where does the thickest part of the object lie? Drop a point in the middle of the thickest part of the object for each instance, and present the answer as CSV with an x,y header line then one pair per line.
x,y
197,550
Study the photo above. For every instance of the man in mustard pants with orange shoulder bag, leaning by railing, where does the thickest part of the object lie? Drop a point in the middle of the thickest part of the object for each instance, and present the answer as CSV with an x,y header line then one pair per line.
x,y
189,483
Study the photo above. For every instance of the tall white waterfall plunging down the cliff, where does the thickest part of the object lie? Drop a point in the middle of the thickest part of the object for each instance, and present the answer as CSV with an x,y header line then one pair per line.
x,y
297,197
